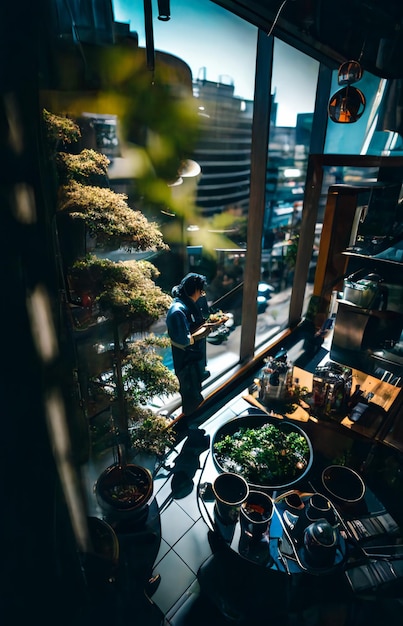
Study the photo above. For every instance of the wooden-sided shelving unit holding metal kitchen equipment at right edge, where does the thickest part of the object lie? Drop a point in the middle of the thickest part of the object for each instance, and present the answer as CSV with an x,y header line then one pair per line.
x,y
361,261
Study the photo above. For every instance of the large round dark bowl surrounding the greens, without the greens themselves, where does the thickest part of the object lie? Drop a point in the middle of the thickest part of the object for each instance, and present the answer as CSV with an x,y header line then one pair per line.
x,y
256,421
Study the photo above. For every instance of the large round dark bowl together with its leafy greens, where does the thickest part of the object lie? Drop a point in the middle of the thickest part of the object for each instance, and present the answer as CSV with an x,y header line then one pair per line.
x,y
268,452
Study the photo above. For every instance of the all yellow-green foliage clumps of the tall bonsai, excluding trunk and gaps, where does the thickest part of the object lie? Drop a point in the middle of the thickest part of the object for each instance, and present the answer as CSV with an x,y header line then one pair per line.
x,y
125,290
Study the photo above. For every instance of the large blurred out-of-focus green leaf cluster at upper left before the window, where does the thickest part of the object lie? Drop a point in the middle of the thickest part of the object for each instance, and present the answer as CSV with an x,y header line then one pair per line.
x,y
168,132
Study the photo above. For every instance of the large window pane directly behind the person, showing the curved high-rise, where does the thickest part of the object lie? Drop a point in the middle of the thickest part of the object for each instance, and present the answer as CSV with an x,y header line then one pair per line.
x,y
209,236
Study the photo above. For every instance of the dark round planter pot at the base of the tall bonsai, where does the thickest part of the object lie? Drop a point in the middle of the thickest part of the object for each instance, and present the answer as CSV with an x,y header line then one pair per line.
x,y
123,493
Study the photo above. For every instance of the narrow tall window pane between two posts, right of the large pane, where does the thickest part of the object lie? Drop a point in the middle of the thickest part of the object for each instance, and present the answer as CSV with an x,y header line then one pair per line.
x,y
293,88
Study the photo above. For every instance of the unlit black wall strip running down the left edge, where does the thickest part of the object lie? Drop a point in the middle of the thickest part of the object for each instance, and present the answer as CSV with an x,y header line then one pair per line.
x,y
40,582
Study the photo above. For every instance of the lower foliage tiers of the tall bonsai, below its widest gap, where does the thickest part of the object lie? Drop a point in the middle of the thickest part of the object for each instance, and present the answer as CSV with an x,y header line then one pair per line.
x,y
125,294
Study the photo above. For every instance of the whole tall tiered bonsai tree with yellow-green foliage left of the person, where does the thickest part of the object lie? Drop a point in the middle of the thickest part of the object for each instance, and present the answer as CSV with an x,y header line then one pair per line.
x,y
121,299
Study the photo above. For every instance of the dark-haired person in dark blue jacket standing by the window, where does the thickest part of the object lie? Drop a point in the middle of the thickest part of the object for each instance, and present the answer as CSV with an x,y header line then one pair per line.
x,y
187,330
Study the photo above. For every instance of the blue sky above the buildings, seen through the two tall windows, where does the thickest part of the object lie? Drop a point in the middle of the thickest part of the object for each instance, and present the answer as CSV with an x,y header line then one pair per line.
x,y
226,46
